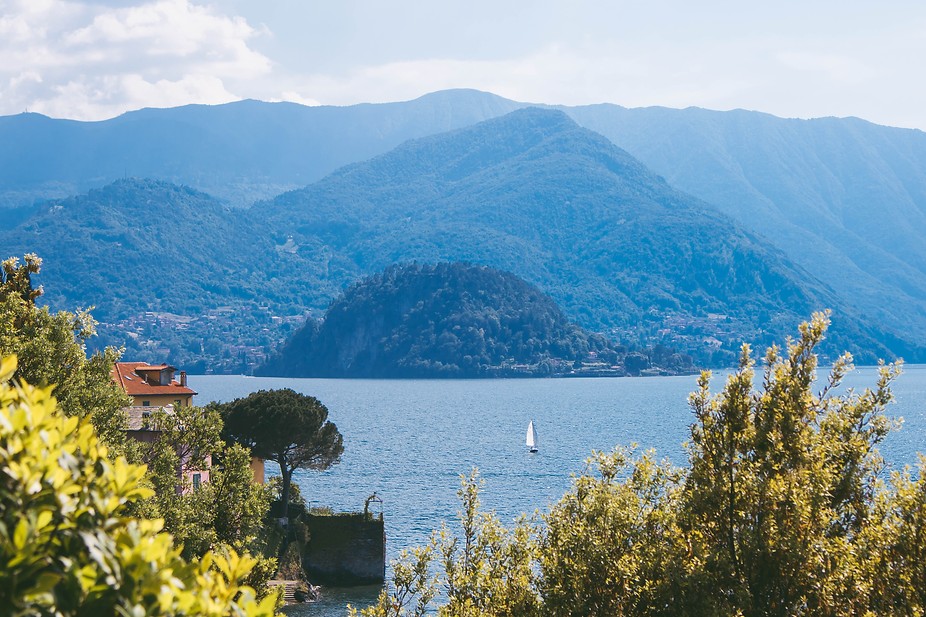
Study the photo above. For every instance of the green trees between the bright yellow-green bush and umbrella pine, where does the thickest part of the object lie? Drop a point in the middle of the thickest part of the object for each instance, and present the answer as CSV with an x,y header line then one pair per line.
x,y
226,513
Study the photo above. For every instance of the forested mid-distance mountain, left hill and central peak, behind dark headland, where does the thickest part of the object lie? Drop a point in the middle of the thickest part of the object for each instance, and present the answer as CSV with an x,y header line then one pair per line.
x,y
531,192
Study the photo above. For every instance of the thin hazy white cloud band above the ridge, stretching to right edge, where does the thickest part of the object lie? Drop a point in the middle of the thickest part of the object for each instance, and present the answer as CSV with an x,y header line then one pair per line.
x,y
777,73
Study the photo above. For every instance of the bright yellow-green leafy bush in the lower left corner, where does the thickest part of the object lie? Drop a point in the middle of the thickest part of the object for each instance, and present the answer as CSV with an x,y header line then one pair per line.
x,y
66,544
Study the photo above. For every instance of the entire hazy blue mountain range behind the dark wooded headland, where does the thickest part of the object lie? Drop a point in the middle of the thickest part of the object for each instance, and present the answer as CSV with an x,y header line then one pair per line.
x,y
779,207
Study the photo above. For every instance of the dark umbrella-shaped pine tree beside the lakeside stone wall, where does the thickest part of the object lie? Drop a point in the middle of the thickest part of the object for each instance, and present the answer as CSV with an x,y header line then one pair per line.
x,y
286,427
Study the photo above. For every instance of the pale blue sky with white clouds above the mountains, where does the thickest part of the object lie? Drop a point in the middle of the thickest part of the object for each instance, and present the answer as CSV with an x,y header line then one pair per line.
x,y
92,60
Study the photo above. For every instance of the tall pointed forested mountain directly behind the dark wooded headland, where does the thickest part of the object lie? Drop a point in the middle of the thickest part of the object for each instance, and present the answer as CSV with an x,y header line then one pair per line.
x,y
534,193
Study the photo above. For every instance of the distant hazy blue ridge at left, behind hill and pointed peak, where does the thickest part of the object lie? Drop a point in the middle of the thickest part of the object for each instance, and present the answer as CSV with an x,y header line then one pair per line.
x,y
238,152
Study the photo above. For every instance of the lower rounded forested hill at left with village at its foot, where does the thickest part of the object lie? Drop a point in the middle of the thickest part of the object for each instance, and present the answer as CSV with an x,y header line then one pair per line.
x,y
172,273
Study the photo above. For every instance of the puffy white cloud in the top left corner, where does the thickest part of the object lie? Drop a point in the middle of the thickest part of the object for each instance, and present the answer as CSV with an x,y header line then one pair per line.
x,y
88,61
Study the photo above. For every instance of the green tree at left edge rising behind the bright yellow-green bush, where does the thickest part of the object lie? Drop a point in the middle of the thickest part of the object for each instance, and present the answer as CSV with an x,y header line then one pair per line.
x,y
50,348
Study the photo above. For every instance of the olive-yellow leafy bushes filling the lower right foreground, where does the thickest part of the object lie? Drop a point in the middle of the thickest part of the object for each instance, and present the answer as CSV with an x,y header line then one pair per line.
x,y
782,510
